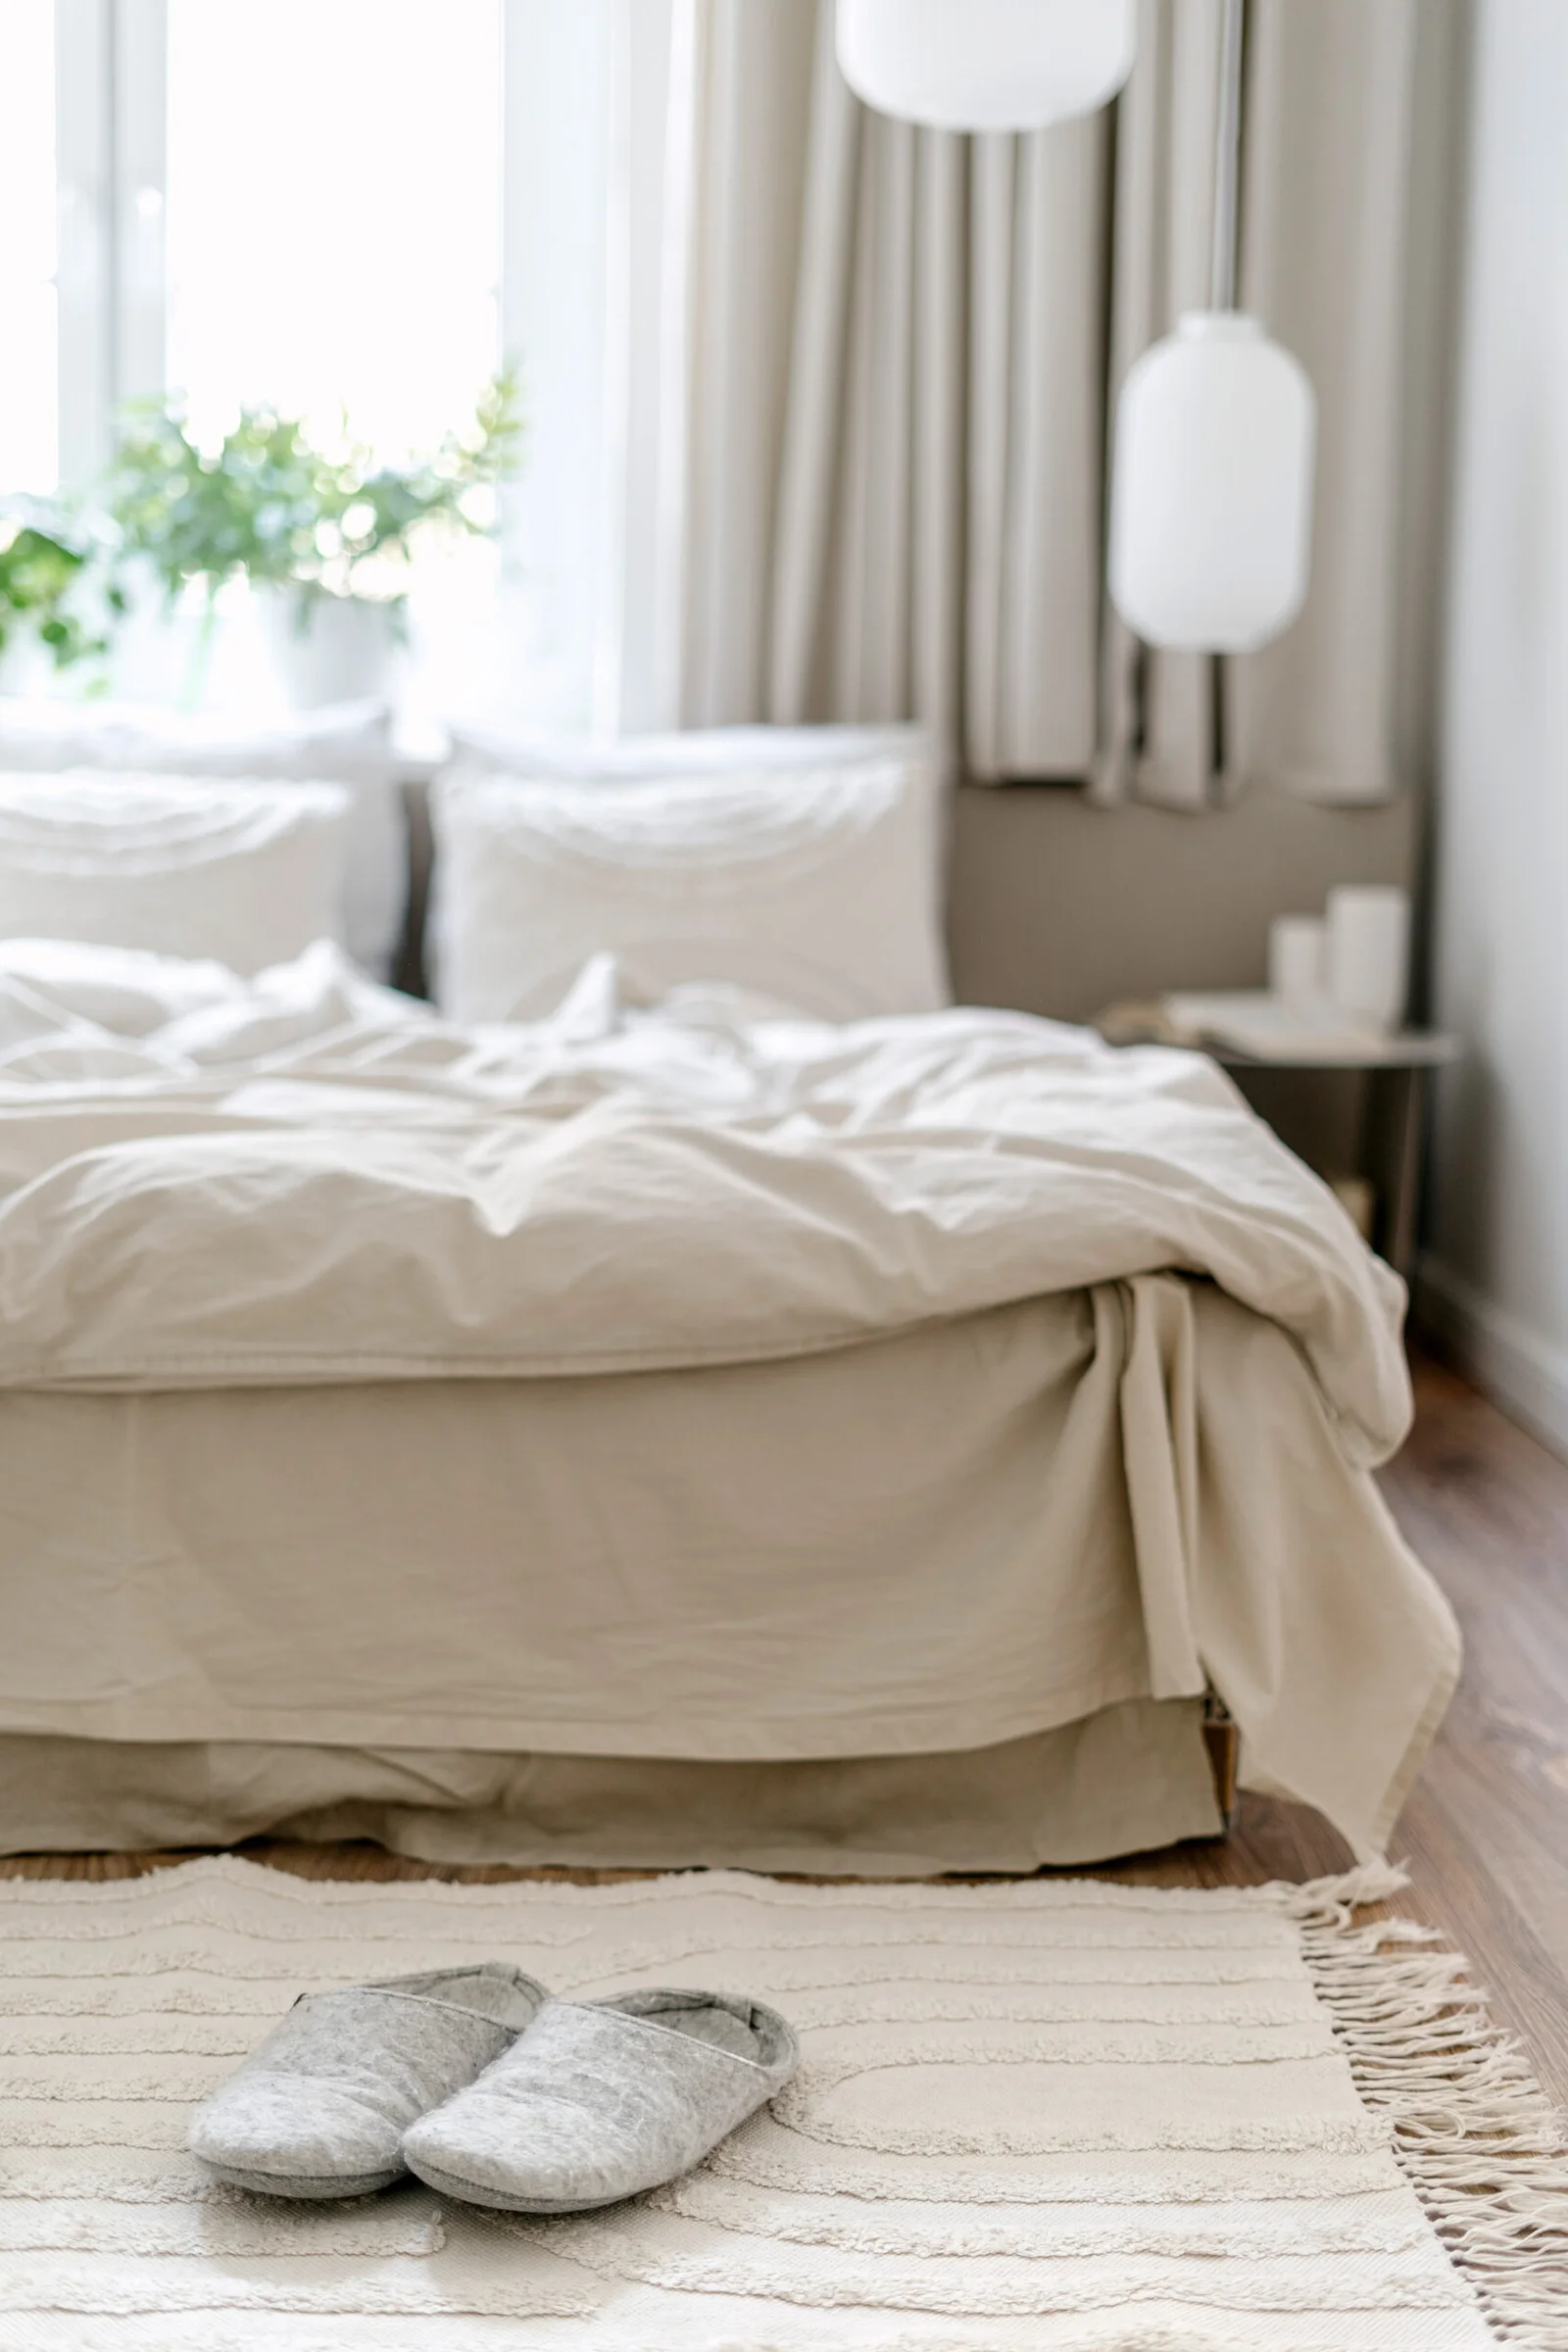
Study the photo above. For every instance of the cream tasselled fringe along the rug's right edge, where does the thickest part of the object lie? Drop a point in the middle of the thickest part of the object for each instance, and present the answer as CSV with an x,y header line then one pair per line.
x,y
1475,2134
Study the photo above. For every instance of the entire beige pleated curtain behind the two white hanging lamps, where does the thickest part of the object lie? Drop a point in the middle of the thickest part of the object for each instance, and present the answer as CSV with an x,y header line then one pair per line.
x,y
897,354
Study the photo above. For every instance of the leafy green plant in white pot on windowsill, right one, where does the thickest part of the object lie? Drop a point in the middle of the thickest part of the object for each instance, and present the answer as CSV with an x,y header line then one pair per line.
x,y
326,530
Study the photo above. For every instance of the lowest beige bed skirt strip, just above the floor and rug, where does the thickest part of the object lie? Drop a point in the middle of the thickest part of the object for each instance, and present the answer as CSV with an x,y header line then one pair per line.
x,y
1120,1782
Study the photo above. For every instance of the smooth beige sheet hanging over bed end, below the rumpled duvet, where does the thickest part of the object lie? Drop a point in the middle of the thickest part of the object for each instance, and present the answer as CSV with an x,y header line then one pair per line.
x,y
942,1542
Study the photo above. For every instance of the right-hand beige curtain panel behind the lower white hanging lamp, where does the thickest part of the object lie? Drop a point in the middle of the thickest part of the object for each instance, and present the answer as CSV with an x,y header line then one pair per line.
x,y
1325,243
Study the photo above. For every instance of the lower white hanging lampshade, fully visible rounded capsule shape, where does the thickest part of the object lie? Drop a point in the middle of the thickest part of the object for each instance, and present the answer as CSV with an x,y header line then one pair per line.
x,y
1212,488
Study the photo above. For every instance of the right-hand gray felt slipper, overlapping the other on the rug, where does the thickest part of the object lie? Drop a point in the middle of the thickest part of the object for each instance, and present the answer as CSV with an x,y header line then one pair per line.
x,y
605,2099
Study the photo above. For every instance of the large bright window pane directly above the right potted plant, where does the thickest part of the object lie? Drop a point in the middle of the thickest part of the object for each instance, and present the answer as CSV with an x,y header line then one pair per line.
x,y
335,213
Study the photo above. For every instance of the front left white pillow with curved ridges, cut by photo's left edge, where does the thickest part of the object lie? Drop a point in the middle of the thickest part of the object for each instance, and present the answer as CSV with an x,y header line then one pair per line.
x,y
243,874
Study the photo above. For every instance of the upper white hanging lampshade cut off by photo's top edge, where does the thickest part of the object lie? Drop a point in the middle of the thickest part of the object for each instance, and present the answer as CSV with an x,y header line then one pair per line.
x,y
986,65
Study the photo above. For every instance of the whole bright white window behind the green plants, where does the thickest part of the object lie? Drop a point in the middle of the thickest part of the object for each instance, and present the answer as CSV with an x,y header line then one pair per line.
x,y
351,211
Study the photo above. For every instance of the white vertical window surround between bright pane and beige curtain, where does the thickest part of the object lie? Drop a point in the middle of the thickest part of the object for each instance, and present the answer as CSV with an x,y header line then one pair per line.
x,y
601,509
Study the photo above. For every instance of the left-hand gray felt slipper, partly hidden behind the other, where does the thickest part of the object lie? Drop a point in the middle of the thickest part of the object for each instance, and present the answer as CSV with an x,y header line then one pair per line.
x,y
323,2104
